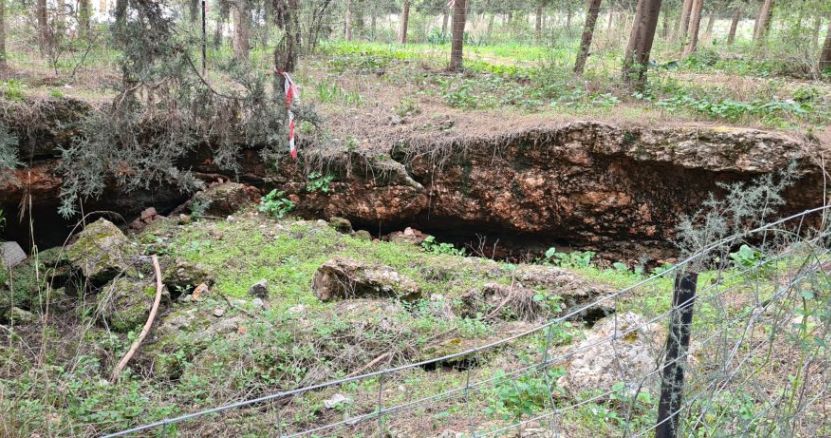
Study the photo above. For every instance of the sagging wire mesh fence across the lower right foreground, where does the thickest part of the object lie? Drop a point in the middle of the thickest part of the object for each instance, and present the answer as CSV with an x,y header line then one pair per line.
x,y
758,363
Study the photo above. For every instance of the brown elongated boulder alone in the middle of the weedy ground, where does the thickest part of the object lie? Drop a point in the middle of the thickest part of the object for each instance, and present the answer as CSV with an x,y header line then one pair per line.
x,y
348,279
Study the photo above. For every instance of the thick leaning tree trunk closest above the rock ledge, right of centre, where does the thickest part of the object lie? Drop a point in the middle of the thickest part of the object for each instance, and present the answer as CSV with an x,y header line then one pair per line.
x,y
641,37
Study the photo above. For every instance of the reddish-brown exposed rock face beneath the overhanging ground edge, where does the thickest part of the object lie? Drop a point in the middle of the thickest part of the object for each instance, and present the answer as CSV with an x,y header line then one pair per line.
x,y
589,184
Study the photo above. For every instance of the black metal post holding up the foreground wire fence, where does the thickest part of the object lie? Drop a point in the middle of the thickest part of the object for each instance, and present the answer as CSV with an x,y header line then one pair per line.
x,y
678,342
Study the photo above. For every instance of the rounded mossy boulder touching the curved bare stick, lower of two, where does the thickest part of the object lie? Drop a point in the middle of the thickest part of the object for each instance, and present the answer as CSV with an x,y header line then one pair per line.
x,y
125,303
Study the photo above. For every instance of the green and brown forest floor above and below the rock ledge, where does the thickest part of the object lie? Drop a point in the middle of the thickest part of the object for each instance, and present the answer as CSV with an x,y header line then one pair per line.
x,y
227,345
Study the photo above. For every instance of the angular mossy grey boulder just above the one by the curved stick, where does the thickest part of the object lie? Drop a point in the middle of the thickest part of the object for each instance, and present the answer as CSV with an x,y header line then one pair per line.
x,y
101,252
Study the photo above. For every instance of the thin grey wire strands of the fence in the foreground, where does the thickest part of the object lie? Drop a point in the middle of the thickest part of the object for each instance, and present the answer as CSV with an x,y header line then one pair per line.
x,y
380,412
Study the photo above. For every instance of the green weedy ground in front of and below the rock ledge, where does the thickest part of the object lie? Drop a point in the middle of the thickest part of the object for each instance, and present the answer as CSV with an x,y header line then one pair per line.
x,y
195,359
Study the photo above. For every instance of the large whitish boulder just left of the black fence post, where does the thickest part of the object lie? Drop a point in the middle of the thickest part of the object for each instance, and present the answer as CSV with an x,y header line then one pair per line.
x,y
602,363
